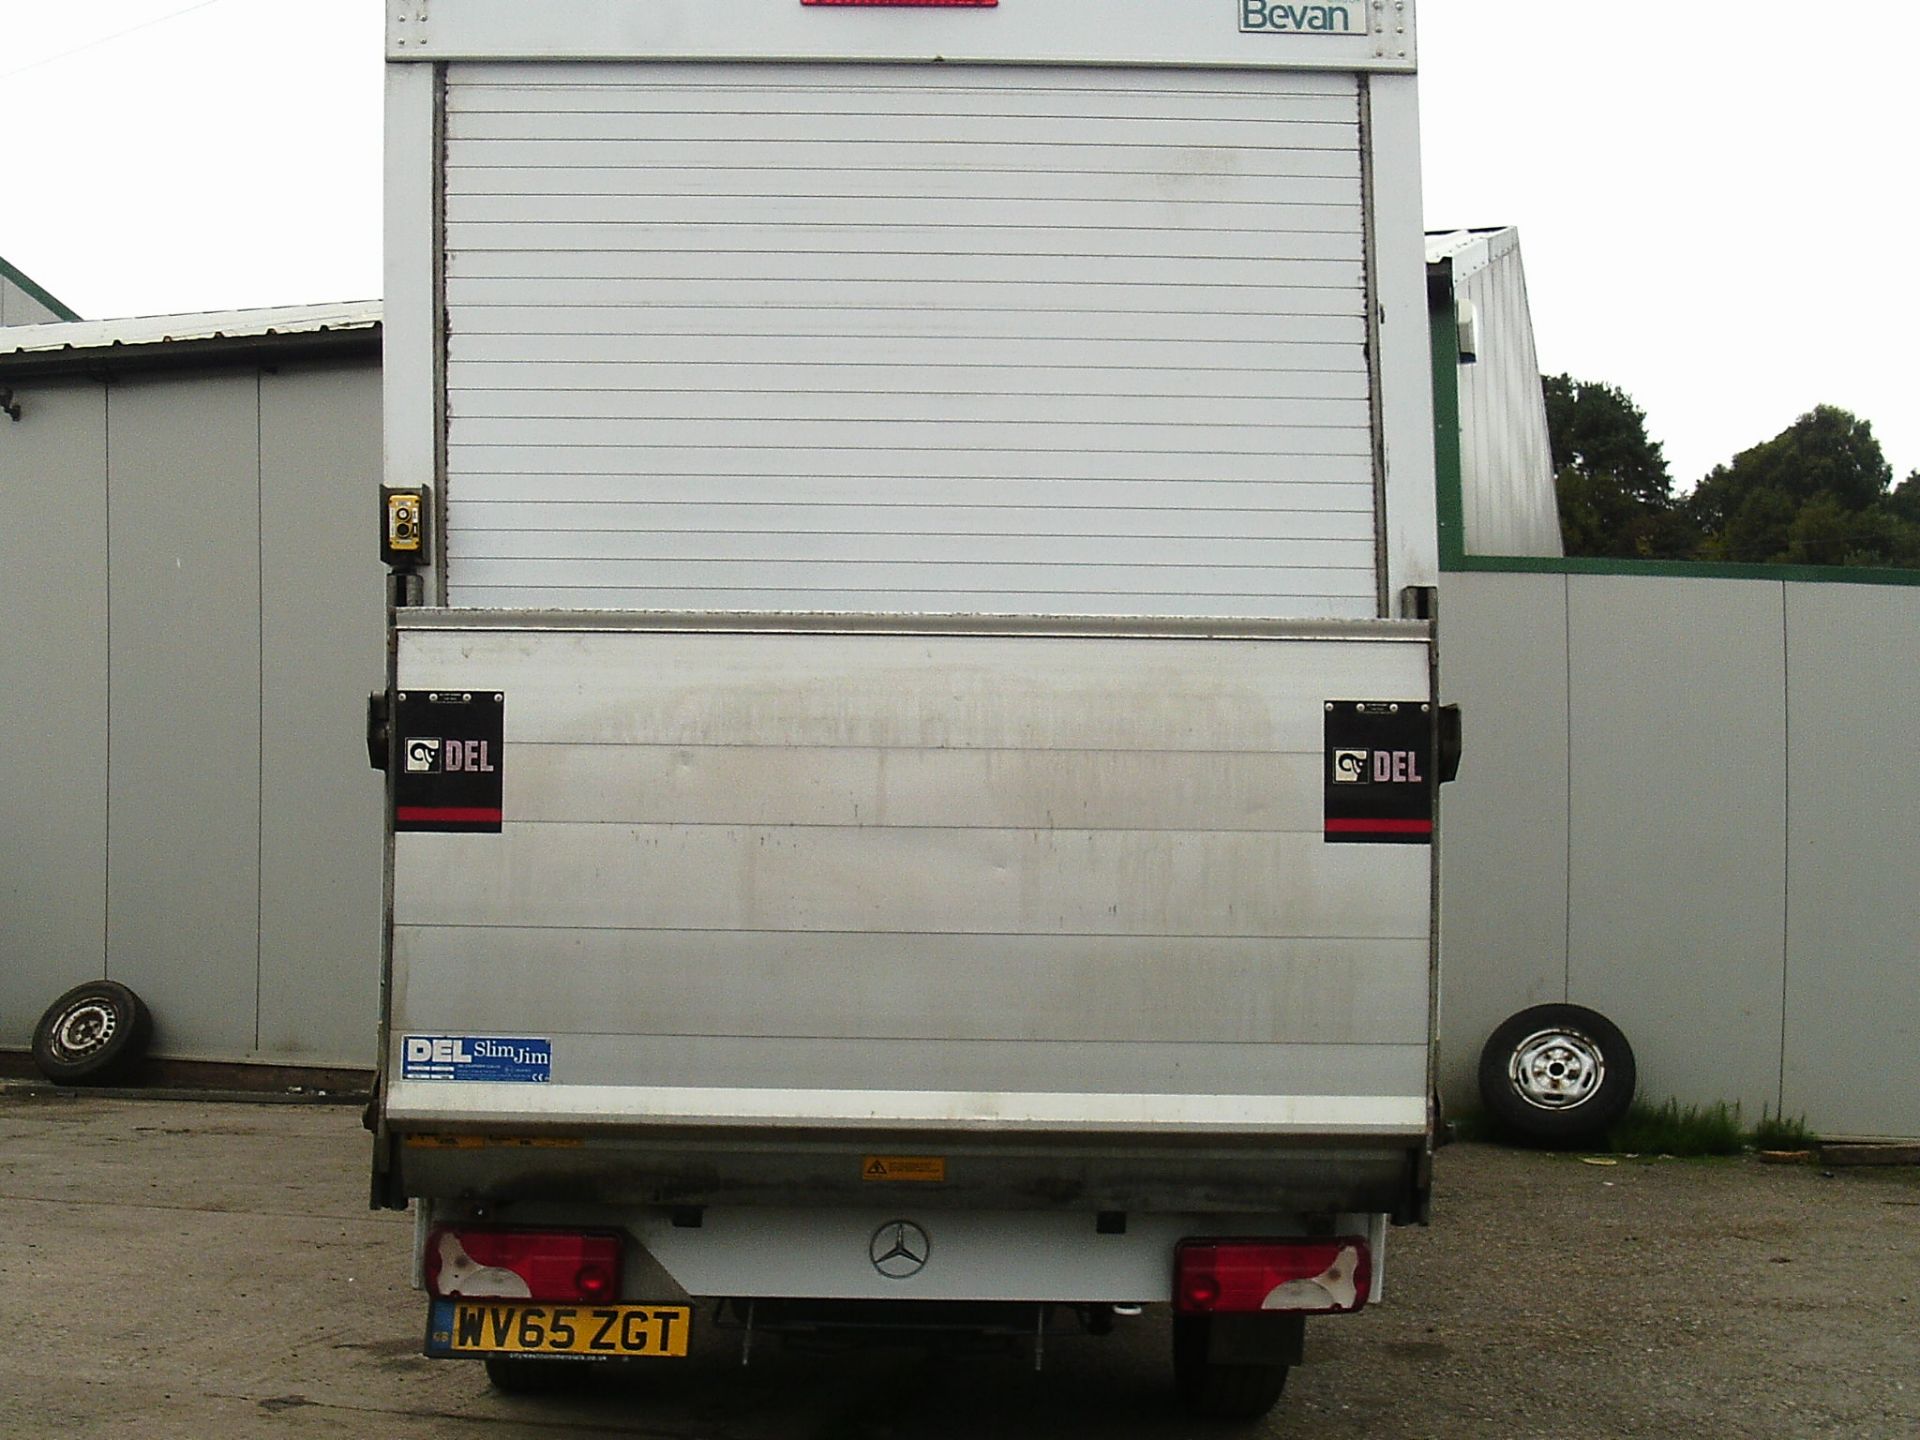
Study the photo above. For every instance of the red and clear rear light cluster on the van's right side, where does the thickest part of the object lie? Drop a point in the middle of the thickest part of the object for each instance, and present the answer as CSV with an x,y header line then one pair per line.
x,y
1236,1278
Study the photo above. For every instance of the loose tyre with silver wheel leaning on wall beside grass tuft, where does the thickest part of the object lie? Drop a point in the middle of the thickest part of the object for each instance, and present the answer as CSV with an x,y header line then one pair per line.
x,y
1558,1074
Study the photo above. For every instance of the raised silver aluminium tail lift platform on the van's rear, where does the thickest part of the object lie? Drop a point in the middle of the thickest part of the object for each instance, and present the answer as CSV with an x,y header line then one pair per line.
x,y
959,865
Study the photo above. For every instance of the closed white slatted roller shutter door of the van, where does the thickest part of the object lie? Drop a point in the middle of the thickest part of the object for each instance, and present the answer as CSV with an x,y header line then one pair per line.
x,y
907,341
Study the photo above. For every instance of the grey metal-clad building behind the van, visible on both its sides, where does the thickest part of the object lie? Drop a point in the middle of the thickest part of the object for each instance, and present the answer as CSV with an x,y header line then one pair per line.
x,y
1683,800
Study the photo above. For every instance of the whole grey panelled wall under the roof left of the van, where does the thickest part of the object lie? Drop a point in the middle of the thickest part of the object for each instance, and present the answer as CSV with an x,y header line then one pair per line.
x,y
195,613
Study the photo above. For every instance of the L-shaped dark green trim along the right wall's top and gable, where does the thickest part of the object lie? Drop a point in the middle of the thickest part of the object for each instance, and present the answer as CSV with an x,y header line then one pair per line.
x,y
1452,516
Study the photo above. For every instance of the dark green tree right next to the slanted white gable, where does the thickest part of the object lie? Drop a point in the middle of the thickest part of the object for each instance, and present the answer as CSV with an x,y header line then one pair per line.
x,y
1616,492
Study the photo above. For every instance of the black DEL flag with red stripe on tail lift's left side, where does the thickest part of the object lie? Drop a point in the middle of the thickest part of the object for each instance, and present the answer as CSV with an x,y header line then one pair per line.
x,y
450,761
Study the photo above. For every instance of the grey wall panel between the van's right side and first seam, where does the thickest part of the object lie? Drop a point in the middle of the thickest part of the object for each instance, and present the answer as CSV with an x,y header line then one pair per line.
x,y
1504,834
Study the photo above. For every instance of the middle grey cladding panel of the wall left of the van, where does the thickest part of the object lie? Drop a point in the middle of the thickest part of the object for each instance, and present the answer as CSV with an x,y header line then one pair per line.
x,y
183,848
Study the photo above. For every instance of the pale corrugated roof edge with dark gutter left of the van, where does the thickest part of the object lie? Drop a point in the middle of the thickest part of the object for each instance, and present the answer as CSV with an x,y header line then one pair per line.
x,y
206,339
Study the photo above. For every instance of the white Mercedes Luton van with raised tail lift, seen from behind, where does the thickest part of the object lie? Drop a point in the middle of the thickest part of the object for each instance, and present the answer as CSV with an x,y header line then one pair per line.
x,y
911,734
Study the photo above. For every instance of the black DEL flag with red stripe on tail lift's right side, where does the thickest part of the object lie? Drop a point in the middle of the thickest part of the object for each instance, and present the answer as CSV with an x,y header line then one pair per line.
x,y
1380,773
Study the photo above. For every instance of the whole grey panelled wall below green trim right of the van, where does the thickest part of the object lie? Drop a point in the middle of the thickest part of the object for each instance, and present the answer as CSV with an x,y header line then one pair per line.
x,y
1687,804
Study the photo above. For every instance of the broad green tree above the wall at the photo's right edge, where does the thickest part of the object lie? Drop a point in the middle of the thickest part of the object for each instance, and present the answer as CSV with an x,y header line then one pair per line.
x,y
1815,494
